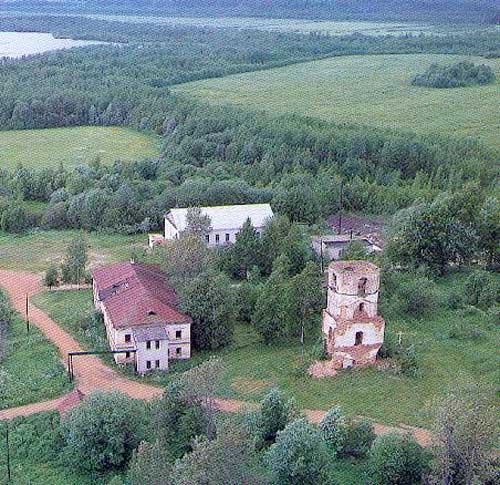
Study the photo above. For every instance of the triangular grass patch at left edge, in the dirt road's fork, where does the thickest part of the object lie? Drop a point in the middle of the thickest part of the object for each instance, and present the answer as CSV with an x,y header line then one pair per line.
x,y
31,370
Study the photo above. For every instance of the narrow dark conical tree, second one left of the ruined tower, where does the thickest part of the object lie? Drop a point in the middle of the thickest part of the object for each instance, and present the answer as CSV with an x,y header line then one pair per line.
x,y
269,318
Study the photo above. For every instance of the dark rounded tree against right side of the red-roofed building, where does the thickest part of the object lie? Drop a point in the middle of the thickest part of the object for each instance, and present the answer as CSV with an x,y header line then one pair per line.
x,y
210,301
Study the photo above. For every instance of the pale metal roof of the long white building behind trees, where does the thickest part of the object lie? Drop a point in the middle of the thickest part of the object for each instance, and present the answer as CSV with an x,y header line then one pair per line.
x,y
226,217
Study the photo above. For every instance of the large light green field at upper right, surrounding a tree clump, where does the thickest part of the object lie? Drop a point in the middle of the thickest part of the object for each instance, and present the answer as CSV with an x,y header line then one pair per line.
x,y
371,90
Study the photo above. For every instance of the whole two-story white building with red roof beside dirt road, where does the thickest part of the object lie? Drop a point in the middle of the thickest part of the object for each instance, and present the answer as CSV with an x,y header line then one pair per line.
x,y
141,316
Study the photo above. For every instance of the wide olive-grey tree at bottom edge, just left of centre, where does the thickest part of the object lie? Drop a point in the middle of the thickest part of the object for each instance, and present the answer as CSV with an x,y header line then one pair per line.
x,y
228,459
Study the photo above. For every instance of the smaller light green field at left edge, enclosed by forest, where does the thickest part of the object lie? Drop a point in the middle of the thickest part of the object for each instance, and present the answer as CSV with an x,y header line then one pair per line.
x,y
74,146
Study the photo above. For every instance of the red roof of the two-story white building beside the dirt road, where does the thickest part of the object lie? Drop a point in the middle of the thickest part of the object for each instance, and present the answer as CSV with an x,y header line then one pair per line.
x,y
135,294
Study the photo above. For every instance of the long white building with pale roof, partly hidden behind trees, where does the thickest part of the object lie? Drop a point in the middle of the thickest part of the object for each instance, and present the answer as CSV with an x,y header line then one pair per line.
x,y
225,221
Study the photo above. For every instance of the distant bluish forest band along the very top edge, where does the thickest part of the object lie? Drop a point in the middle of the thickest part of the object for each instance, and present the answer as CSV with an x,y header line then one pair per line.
x,y
382,10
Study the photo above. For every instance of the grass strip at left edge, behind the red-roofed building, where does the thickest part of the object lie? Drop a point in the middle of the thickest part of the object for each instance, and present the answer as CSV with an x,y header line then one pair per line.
x,y
35,251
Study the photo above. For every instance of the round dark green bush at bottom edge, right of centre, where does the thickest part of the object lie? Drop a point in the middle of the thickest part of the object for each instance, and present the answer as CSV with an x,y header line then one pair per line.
x,y
396,459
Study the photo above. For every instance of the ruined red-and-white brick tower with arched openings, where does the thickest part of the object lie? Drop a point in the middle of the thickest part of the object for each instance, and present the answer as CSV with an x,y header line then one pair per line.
x,y
353,330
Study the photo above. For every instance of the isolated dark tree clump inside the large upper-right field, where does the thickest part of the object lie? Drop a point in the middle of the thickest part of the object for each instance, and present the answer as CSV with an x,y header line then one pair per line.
x,y
454,76
